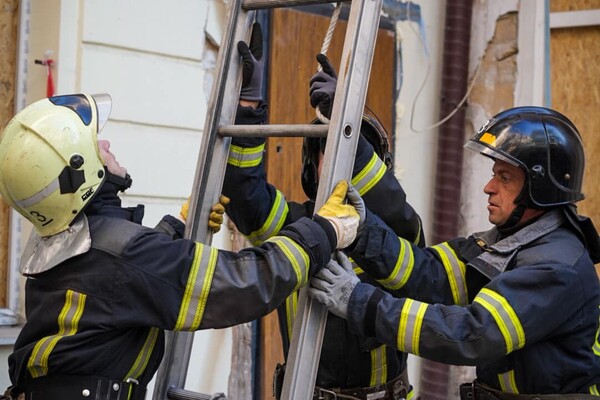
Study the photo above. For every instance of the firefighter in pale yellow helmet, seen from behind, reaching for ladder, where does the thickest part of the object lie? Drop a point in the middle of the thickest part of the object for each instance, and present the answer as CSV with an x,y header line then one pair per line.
x,y
102,288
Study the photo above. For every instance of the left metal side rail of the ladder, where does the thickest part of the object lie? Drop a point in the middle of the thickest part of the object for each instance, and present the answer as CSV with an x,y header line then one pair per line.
x,y
210,171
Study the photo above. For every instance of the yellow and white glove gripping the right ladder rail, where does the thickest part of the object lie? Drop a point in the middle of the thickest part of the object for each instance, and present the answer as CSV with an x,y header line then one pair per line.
x,y
345,218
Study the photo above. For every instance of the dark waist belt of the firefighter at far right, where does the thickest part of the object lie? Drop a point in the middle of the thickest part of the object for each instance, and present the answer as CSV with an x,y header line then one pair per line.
x,y
478,391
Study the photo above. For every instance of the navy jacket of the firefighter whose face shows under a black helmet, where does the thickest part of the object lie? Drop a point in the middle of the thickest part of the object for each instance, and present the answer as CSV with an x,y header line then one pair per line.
x,y
522,308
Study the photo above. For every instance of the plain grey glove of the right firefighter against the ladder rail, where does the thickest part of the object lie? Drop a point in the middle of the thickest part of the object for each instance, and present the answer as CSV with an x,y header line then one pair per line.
x,y
334,284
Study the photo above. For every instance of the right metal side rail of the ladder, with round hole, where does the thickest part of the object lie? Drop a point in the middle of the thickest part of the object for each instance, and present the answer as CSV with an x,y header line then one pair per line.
x,y
342,138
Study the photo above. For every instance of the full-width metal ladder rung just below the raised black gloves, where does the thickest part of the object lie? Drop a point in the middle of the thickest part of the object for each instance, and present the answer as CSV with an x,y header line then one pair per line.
x,y
274,130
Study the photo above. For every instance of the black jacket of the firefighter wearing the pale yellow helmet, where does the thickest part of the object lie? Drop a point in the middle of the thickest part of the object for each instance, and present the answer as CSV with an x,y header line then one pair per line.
x,y
104,312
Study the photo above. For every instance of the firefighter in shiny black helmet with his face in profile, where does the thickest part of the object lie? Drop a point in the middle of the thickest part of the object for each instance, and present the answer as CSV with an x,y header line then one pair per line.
x,y
520,301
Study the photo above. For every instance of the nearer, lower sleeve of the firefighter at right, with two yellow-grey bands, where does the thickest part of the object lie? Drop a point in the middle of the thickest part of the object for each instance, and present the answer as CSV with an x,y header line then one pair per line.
x,y
518,308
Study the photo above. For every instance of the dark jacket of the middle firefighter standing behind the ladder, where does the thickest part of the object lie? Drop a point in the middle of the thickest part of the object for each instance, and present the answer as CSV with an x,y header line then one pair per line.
x,y
260,211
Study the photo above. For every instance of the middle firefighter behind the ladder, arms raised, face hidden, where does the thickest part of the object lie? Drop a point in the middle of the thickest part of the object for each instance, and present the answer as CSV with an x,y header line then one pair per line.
x,y
355,365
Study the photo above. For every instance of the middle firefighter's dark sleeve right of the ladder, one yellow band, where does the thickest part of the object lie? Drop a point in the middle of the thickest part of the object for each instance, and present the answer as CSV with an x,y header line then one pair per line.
x,y
384,195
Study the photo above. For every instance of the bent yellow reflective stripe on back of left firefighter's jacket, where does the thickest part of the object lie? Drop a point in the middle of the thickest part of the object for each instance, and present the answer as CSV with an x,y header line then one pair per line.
x,y
68,322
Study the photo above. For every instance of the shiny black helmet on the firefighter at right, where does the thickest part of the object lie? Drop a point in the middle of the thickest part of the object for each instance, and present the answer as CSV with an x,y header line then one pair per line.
x,y
545,144
